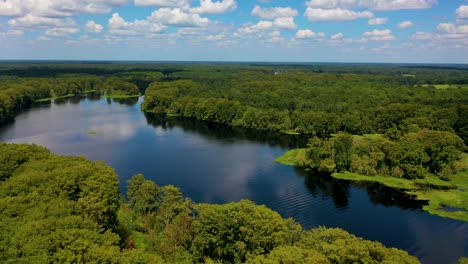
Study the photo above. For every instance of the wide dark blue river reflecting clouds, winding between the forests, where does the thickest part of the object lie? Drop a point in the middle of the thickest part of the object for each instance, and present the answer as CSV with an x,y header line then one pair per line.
x,y
219,164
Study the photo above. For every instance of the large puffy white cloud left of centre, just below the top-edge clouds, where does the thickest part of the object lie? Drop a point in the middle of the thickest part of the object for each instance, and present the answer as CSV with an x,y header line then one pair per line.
x,y
177,17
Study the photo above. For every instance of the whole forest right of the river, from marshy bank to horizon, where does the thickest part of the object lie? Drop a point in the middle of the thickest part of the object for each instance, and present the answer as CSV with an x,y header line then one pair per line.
x,y
408,132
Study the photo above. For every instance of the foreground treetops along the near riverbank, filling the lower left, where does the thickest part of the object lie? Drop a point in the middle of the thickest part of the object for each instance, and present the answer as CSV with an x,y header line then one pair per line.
x,y
67,209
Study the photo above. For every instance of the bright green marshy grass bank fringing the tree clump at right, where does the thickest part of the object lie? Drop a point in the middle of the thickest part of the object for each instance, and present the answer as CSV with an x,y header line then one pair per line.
x,y
445,198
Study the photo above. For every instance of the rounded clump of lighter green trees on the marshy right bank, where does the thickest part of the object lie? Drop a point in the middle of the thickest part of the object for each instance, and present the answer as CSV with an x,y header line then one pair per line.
x,y
413,155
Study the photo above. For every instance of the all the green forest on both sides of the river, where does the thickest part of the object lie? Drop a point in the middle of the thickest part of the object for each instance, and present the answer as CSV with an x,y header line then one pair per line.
x,y
404,126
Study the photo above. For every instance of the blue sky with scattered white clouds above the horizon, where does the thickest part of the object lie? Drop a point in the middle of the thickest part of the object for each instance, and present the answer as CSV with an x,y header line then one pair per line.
x,y
394,31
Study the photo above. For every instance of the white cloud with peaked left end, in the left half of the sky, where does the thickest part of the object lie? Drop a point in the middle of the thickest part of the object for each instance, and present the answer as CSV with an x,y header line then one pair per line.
x,y
118,26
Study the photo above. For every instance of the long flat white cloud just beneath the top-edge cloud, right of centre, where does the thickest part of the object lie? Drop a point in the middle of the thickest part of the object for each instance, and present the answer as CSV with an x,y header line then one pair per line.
x,y
337,14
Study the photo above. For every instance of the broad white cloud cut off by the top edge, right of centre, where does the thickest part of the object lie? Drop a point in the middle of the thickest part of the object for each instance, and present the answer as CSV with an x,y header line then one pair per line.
x,y
380,5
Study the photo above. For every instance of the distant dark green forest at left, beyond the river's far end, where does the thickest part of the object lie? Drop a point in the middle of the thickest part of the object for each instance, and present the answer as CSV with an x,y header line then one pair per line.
x,y
17,92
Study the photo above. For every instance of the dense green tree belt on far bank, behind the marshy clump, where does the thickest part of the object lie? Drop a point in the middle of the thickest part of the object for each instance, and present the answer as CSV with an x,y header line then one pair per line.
x,y
309,103
